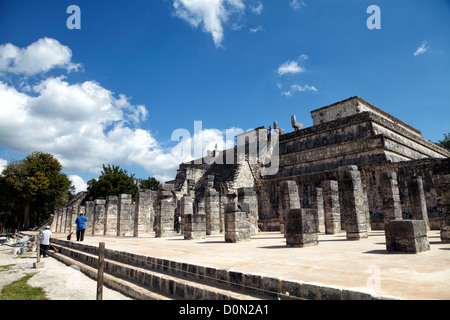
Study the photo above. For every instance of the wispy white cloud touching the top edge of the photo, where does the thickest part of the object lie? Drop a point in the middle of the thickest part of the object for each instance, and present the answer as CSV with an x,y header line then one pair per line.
x,y
210,14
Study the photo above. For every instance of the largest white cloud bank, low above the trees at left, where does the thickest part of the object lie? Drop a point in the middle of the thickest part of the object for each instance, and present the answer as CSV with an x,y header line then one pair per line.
x,y
85,125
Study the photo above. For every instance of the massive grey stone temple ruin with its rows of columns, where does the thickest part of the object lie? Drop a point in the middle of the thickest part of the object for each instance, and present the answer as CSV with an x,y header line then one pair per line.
x,y
356,169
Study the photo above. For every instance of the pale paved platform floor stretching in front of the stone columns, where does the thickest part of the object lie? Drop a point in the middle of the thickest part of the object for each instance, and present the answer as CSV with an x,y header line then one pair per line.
x,y
362,265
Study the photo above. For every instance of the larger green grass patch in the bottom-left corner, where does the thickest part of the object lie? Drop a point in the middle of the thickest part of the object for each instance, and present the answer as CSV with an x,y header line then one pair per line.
x,y
20,290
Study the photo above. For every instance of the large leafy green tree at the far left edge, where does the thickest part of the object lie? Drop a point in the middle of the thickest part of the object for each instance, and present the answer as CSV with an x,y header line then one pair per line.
x,y
36,186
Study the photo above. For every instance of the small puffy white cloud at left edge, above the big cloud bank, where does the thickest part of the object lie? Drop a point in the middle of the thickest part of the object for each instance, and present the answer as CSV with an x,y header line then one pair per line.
x,y
40,56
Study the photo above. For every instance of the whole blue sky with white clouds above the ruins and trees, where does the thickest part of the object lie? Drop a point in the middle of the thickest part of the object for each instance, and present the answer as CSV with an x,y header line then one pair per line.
x,y
114,91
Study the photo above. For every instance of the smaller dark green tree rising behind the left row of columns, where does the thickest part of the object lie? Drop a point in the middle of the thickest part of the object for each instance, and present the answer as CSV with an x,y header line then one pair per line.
x,y
113,181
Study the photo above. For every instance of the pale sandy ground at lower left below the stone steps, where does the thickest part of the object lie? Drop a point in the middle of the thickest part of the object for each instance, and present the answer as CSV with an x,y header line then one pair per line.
x,y
59,281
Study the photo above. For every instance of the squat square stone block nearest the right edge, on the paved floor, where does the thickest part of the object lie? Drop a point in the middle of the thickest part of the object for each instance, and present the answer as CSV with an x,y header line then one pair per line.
x,y
408,236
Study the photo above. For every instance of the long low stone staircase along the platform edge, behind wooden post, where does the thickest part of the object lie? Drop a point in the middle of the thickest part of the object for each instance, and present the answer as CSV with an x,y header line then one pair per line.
x,y
148,278
